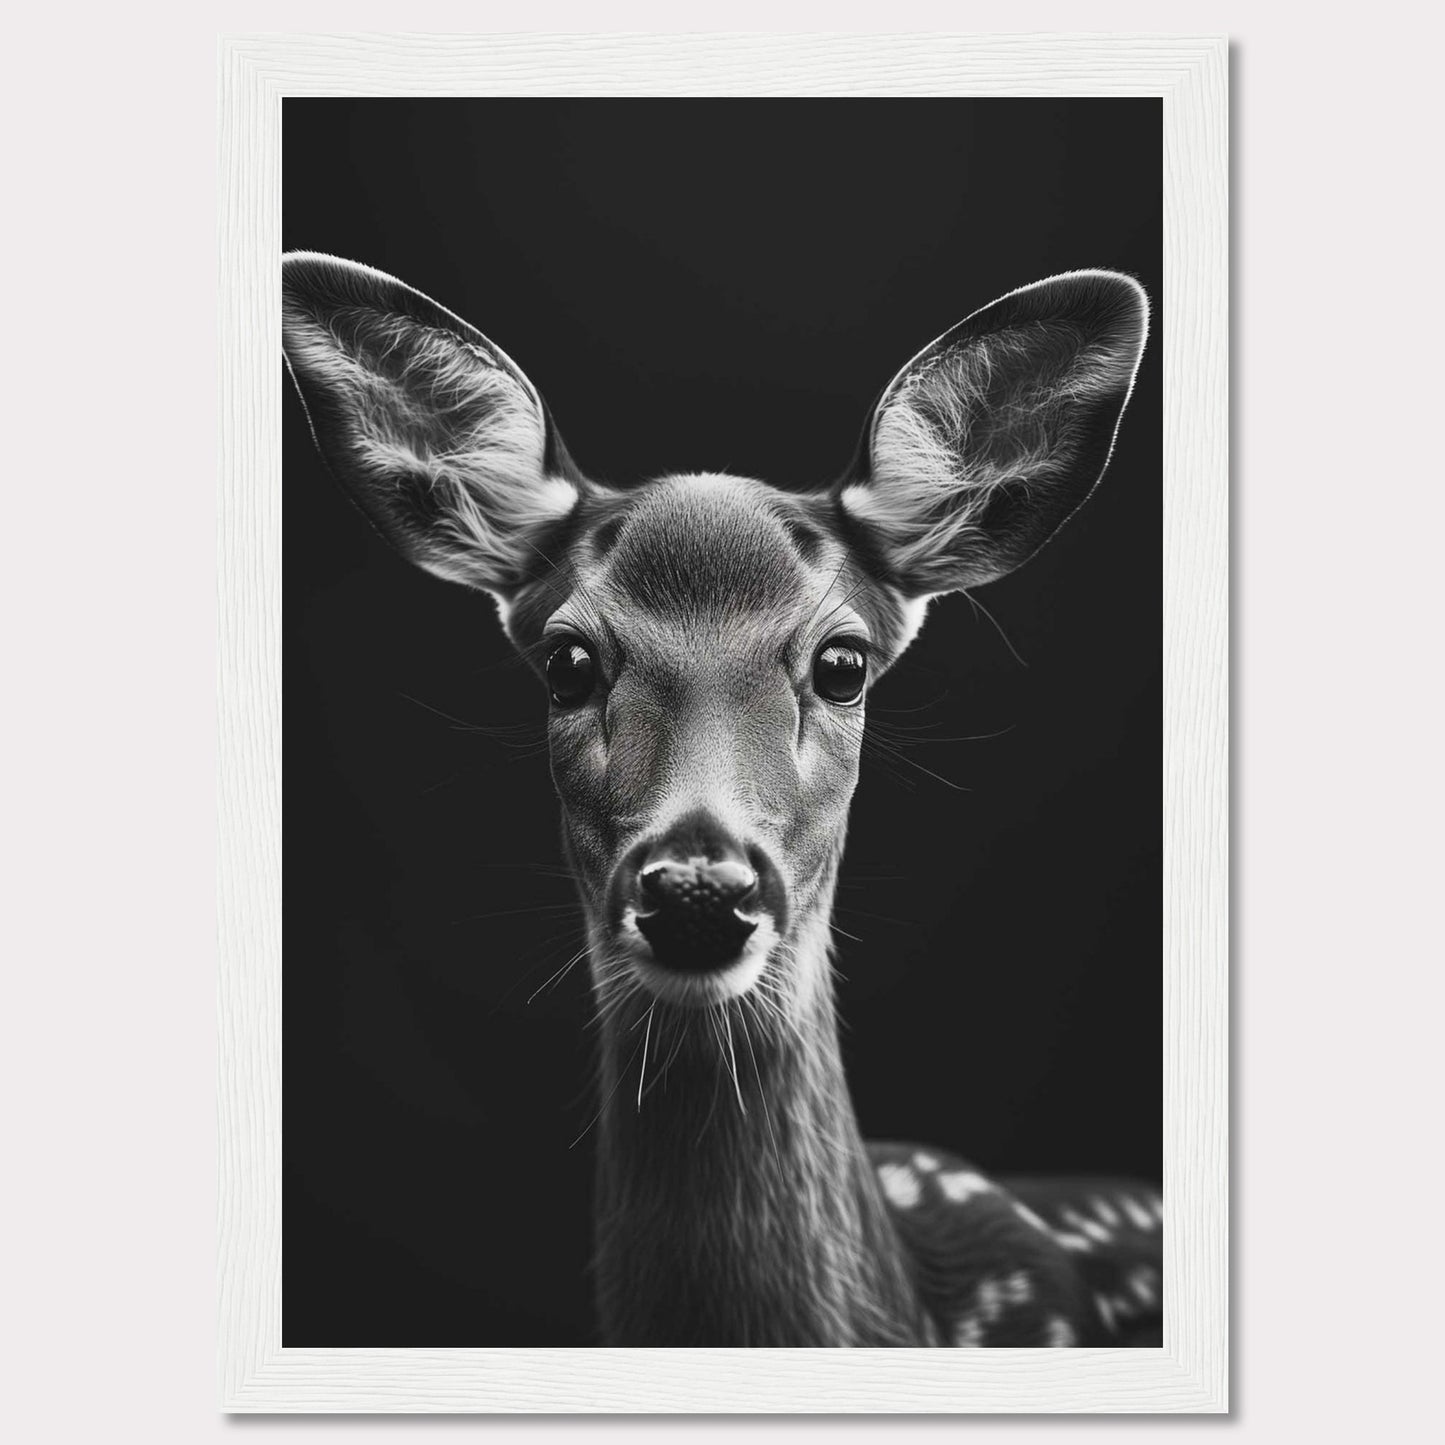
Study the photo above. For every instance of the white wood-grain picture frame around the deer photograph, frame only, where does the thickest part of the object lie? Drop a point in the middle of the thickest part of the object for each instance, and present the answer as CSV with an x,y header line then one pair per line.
x,y
1190,1373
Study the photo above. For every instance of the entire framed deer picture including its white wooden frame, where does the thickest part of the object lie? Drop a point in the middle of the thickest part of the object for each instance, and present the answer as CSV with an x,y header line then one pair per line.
x,y
648,463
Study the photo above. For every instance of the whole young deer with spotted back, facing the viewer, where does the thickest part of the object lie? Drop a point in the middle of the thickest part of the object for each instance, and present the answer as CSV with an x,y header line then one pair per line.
x,y
709,644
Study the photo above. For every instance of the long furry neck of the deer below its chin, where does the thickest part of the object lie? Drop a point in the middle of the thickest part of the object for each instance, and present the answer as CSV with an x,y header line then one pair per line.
x,y
746,1215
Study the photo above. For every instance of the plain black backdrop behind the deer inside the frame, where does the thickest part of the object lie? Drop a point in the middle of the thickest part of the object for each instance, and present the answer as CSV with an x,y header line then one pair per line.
x,y
703,285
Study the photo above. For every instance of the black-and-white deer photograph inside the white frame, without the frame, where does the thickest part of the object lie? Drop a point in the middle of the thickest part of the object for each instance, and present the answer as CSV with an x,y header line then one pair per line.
x,y
723,723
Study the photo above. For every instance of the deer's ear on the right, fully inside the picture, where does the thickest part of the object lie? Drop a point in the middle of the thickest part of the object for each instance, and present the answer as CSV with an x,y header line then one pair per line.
x,y
988,440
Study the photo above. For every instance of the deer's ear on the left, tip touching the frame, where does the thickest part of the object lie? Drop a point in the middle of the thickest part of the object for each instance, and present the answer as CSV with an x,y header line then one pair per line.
x,y
434,431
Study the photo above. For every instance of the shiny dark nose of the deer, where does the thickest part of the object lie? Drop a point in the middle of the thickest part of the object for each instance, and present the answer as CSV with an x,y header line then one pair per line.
x,y
693,907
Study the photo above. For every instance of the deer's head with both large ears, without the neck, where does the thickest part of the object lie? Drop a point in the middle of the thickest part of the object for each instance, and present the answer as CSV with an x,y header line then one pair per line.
x,y
709,642
